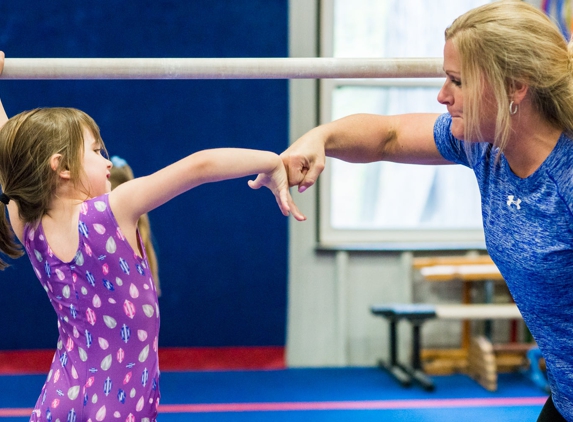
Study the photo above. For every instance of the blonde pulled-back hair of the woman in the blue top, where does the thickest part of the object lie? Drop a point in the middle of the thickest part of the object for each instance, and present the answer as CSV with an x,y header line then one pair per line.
x,y
508,42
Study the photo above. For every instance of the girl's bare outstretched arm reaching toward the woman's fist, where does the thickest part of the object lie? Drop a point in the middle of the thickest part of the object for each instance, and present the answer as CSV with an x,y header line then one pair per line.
x,y
138,196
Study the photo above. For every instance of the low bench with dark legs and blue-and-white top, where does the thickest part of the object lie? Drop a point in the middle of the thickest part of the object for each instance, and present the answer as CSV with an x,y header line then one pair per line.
x,y
417,314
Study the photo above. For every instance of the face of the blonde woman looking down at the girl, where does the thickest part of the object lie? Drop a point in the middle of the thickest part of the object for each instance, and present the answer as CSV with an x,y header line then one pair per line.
x,y
451,95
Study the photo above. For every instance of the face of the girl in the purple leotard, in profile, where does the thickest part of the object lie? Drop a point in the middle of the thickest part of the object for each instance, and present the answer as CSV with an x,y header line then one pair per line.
x,y
95,166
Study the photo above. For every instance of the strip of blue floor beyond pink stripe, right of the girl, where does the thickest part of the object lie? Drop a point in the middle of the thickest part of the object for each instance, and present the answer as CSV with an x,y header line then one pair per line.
x,y
324,384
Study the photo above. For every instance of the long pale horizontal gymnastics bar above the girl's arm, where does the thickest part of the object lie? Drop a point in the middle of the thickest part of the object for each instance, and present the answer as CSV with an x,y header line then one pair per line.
x,y
217,68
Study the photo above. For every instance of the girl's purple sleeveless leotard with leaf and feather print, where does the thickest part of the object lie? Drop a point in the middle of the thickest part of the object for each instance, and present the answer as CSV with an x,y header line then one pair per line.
x,y
105,367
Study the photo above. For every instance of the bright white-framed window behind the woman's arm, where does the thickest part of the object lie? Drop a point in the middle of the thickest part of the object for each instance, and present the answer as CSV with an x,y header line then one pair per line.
x,y
395,206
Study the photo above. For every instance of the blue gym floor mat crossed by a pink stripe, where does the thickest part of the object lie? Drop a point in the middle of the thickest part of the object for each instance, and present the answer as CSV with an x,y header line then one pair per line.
x,y
290,387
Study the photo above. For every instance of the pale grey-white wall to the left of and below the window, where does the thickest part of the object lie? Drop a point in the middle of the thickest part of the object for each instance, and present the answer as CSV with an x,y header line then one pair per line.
x,y
330,292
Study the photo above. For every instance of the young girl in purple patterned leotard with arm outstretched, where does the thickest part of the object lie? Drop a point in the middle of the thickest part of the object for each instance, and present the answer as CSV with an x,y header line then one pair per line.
x,y
83,243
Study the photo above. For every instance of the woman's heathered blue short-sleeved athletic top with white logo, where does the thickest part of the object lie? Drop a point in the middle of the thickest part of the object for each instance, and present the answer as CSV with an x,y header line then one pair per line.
x,y
528,225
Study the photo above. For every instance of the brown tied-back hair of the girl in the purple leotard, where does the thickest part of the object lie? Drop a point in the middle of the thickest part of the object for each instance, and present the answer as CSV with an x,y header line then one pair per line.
x,y
27,143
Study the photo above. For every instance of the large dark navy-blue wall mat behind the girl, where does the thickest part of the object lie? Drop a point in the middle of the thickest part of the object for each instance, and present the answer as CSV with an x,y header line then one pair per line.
x,y
222,247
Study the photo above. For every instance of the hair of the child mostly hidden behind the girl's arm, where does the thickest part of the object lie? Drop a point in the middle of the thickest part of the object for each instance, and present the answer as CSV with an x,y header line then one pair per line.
x,y
121,172
